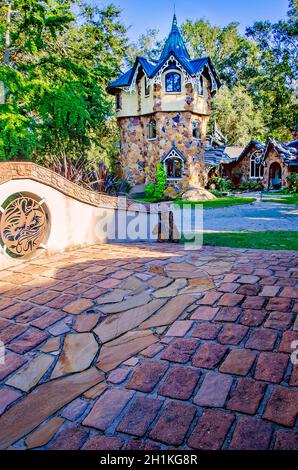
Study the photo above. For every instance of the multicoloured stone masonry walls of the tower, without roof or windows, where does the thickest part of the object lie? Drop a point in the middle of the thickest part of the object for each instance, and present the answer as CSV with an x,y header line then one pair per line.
x,y
140,155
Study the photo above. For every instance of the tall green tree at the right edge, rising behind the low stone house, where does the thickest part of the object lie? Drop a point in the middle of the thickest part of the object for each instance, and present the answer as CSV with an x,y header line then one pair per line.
x,y
274,88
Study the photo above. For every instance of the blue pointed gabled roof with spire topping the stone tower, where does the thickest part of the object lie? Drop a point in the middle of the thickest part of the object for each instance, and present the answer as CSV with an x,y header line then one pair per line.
x,y
175,47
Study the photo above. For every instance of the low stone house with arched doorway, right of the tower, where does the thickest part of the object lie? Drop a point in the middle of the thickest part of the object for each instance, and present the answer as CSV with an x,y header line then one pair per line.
x,y
270,163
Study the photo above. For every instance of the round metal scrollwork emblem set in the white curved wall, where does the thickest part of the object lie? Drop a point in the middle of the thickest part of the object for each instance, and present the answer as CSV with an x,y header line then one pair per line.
x,y
23,226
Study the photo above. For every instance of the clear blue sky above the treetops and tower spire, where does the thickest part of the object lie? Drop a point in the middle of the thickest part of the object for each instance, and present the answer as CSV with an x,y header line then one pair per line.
x,y
142,15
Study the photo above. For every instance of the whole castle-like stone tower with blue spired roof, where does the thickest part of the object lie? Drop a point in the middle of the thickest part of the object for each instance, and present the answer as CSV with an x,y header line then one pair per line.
x,y
163,109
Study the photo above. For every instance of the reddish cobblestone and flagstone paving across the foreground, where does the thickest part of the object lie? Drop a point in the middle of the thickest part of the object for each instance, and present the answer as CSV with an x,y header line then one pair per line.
x,y
150,347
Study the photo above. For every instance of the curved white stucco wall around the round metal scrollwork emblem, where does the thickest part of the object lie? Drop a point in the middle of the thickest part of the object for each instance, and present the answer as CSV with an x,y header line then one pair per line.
x,y
72,223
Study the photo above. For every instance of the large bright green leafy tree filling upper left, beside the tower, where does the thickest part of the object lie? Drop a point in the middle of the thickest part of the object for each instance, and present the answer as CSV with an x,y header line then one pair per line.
x,y
55,71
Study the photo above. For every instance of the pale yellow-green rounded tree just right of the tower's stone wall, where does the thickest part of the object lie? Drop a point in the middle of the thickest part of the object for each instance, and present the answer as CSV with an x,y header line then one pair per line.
x,y
237,116
